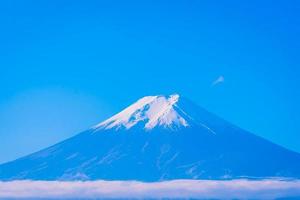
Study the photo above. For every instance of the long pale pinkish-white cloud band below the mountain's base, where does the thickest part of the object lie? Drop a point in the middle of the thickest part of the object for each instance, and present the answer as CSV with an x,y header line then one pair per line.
x,y
242,189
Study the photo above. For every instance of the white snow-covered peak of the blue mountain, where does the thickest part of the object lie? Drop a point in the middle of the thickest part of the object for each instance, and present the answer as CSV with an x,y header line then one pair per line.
x,y
150,112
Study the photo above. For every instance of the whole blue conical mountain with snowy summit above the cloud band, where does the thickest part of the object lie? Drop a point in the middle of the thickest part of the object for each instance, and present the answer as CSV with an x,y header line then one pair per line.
x,y
158,138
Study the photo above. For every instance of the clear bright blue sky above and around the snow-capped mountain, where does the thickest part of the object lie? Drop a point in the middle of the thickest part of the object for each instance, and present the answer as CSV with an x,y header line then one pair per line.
x,y
66,65
